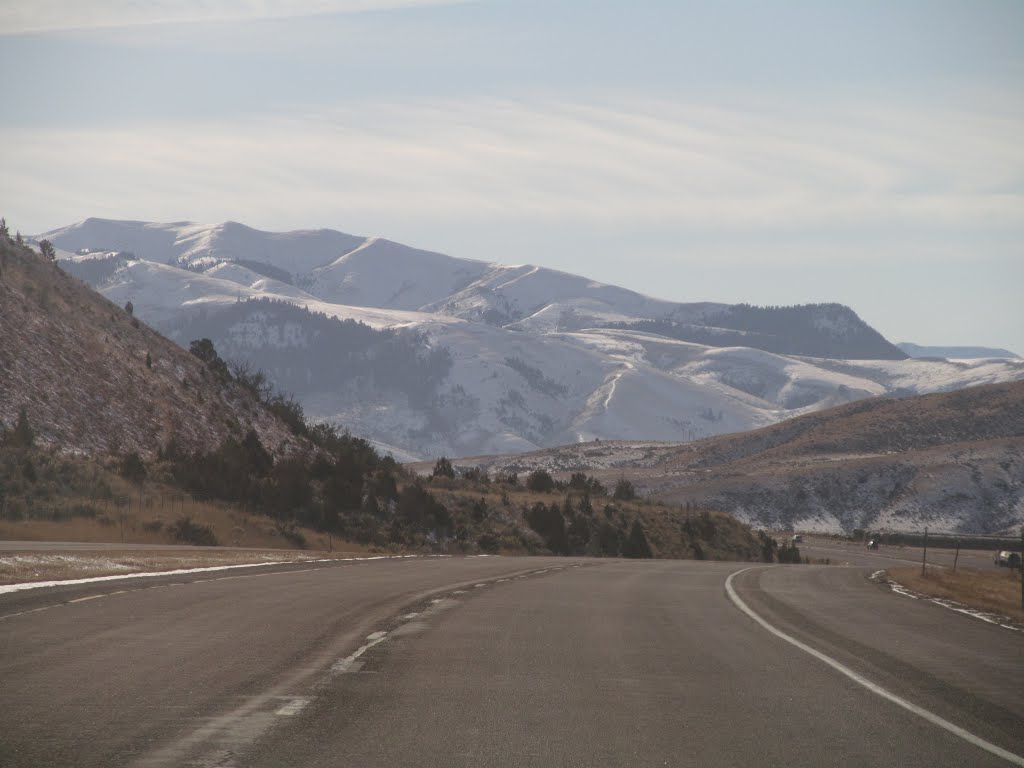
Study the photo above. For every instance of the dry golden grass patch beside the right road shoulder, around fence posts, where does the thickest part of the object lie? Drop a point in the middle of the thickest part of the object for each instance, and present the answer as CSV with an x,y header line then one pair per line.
x,y
996,592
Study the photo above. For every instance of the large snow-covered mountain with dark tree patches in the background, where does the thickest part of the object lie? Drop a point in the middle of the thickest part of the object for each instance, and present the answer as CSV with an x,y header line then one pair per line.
x,y
466,358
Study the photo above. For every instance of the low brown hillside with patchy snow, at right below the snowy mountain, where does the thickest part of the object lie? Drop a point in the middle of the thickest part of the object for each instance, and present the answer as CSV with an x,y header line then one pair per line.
x,y
954,462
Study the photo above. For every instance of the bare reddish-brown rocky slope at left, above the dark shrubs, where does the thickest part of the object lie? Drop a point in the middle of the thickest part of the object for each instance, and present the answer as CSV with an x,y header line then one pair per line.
x,y
94,379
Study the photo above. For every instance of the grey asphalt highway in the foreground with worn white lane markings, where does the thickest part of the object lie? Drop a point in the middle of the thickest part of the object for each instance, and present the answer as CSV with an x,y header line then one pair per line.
x,y
501,662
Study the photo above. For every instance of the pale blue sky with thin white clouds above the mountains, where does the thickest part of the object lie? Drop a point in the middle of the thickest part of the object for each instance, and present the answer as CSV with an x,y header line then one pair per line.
x,y
869,153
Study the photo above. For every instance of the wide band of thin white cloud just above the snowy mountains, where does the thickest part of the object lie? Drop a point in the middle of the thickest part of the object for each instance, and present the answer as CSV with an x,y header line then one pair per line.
x,y
641,164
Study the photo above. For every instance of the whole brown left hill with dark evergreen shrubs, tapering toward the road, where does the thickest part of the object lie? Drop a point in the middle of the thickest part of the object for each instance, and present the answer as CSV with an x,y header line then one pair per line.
x,y
102,416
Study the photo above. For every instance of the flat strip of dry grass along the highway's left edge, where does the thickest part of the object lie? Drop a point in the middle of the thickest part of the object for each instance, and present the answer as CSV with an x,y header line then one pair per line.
x,y
17,568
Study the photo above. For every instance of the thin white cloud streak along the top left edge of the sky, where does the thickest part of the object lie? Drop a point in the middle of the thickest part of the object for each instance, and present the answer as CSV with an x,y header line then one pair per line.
x,y
30,17
